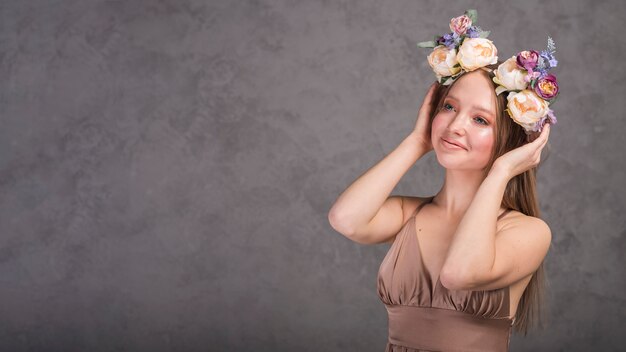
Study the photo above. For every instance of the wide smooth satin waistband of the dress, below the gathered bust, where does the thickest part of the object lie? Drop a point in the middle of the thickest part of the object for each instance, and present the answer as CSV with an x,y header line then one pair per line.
x,y
446,329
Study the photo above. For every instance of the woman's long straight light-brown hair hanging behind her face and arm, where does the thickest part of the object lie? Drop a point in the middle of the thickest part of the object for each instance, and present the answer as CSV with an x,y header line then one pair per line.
x,y
520,194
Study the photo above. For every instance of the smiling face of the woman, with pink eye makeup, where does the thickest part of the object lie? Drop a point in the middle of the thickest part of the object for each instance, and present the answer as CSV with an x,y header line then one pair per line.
x,y
467,117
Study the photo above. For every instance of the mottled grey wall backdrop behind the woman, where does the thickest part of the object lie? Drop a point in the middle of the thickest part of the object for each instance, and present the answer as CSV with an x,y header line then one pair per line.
x,y
166,168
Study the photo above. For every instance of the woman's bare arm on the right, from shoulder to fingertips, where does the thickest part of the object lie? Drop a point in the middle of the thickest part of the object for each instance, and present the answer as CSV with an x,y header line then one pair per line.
x,y
482,258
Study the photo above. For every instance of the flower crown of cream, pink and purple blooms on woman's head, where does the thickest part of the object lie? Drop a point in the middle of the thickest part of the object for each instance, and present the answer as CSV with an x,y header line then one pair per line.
x,y
525,75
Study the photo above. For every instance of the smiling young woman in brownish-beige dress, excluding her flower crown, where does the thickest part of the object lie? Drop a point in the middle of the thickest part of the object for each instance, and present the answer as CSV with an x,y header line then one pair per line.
x,y
465,265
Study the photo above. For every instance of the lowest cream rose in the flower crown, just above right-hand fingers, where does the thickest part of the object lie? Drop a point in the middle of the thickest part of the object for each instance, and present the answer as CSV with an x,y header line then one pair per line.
x,y
526,108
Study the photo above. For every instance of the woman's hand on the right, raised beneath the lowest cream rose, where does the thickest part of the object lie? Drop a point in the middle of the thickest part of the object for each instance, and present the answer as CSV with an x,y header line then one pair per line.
x,y
523,158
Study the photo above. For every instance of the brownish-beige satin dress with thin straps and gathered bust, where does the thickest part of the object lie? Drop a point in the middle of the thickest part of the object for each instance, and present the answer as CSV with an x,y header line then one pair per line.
x,y
425,316
